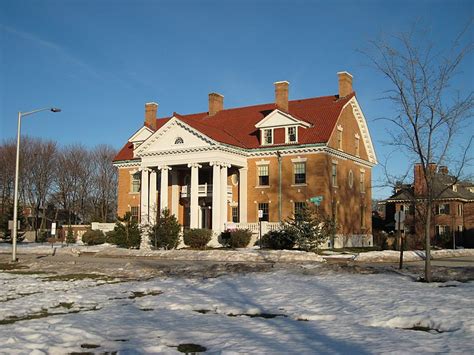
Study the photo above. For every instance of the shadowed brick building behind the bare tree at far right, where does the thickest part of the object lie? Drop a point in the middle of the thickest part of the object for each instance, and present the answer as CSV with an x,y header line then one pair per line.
x,y
453,208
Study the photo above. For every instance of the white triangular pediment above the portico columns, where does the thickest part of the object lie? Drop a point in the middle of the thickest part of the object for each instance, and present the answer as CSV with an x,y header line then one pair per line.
x,y
174,135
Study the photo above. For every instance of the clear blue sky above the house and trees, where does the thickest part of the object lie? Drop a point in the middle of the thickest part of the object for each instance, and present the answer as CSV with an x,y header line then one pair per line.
x,y
100,61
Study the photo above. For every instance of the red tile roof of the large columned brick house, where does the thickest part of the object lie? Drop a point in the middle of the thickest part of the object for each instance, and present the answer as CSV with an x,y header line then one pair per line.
x,y
236,126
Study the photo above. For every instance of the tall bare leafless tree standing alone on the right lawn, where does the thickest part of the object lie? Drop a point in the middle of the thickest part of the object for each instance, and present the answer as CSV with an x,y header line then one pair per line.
x,y
430,113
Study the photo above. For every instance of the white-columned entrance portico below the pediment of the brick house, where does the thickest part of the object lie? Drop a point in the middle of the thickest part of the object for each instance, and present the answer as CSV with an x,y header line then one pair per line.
x,y
201,190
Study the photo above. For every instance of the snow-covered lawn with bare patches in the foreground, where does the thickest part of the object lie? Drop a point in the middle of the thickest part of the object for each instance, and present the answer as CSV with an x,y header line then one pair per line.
x,y
277,312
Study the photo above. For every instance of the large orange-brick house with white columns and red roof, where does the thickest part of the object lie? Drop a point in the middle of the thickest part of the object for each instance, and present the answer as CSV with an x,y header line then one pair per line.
x,y
222,166
